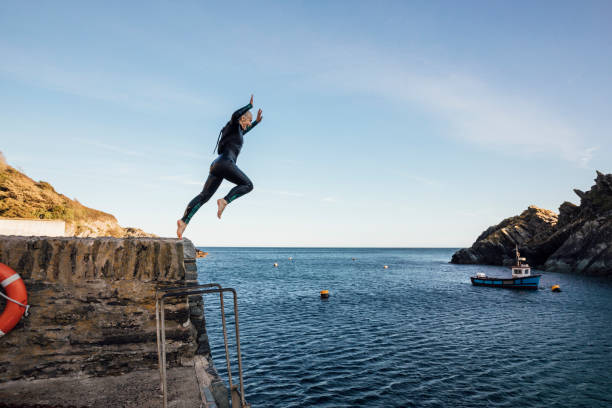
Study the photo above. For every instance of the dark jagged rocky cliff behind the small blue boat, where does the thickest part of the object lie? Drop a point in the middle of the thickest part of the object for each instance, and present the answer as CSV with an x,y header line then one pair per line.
x,y
577,240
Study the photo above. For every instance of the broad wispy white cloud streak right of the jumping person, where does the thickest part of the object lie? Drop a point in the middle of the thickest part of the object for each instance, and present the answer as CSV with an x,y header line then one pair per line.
x,y
476,112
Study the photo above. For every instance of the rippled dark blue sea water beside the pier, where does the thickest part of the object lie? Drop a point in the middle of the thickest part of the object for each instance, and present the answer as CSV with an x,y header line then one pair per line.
x,y
416,334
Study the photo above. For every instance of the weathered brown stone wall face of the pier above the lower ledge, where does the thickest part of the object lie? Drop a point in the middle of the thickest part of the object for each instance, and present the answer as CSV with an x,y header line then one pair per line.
x,y
93,305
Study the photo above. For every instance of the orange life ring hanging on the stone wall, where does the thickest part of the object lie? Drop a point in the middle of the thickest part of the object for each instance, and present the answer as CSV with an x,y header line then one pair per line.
x,y
16,299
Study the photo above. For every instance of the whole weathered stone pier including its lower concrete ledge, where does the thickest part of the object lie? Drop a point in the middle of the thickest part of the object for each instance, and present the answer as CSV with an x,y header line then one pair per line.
x,y
90,339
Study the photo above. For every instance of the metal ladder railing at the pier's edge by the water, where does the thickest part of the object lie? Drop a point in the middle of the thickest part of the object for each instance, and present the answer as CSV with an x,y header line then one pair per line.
x,y
161,294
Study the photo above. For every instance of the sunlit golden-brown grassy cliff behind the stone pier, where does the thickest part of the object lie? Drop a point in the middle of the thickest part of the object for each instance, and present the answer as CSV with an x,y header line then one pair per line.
x,y
22,197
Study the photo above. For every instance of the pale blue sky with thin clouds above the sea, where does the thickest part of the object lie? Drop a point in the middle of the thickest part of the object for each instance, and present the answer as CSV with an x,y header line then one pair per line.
x,y
401,123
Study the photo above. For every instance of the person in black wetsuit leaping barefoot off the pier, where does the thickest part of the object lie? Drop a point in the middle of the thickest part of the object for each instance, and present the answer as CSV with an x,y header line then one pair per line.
x,y
224,167
